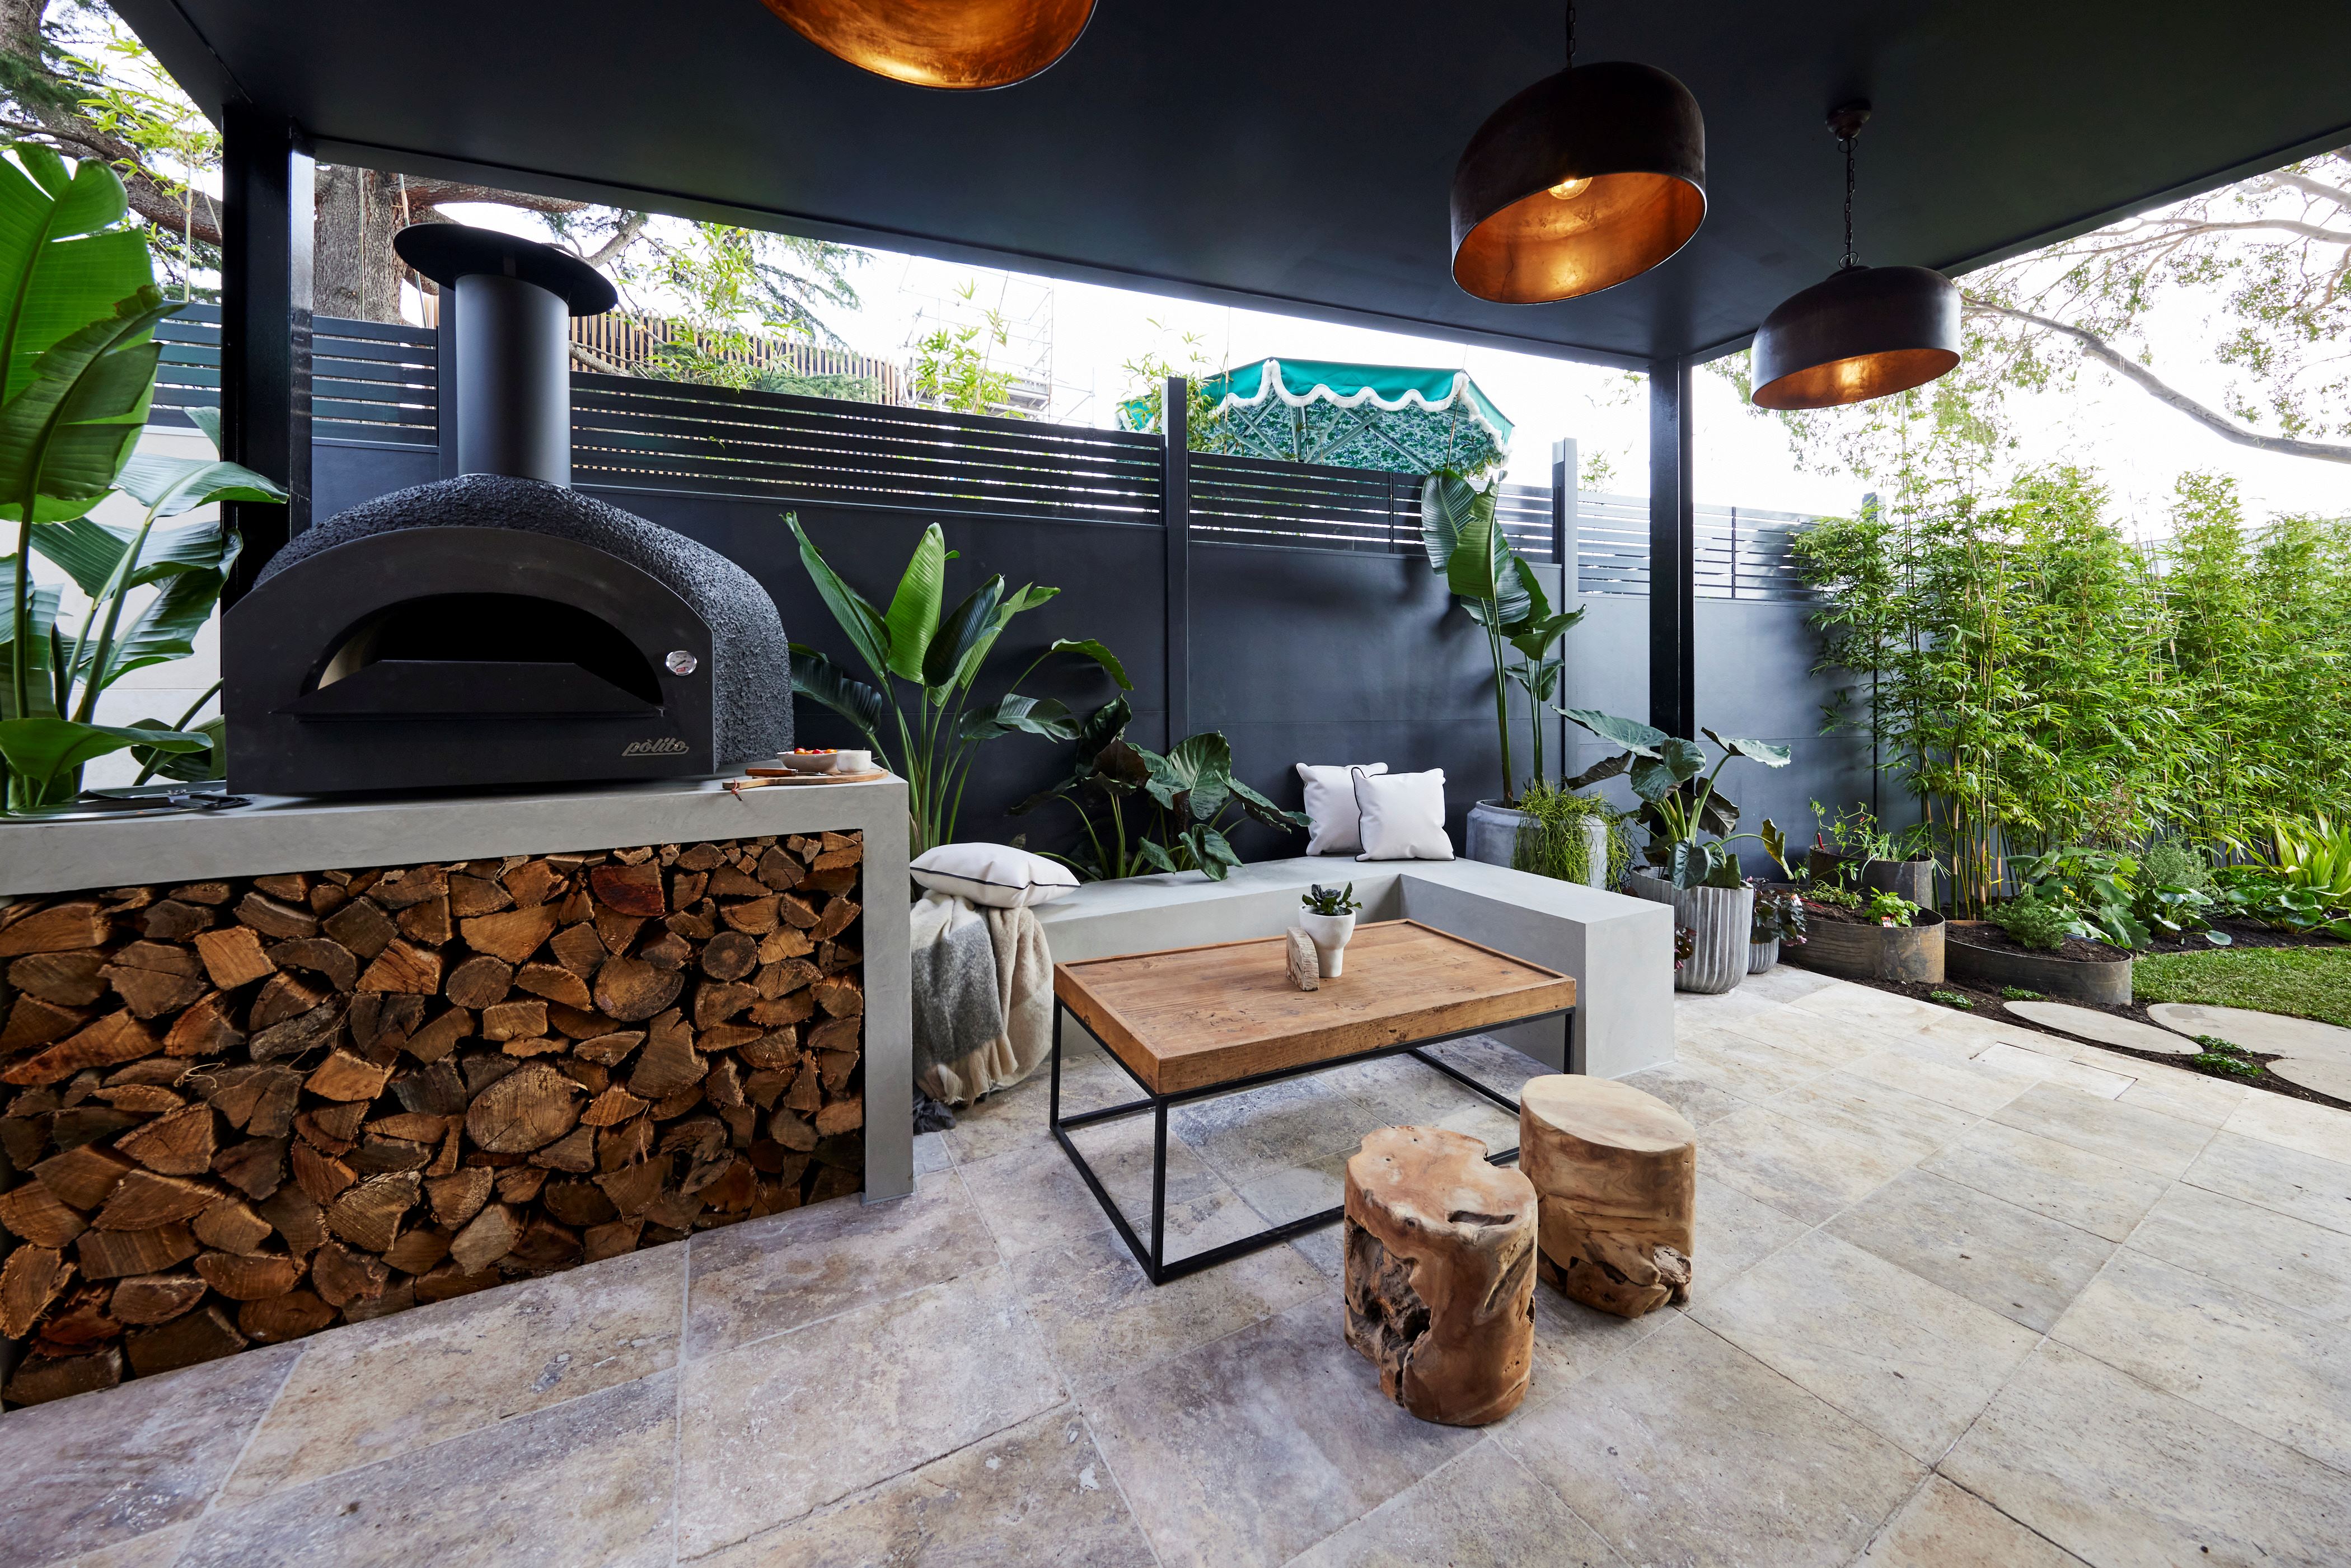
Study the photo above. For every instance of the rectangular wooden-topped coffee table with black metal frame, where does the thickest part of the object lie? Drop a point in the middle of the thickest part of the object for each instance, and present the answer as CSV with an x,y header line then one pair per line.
x,y
1191,1024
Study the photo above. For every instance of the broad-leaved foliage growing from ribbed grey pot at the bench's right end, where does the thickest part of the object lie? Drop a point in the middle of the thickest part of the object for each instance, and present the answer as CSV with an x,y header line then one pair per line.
x,y
1692,826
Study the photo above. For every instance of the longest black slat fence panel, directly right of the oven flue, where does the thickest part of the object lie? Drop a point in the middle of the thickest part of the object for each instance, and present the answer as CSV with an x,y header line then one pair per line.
x,y
819,450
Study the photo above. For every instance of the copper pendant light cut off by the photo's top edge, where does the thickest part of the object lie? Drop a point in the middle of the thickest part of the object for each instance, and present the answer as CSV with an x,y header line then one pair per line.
x,y
942,43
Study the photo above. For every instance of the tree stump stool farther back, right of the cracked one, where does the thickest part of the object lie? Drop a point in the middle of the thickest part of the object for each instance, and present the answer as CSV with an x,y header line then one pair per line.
x,y
1616,1174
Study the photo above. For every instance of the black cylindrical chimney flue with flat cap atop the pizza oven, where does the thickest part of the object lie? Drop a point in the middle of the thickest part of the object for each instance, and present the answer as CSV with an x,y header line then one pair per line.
x,y
514,363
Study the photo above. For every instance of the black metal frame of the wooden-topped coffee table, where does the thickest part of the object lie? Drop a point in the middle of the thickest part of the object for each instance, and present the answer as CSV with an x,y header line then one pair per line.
x,y
1153,1259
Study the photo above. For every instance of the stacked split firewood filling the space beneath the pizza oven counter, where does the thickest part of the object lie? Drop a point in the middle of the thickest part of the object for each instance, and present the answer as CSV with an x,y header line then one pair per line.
x,y
246,1111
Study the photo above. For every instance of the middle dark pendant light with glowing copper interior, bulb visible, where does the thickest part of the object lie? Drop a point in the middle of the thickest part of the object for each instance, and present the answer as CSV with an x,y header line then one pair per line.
x,y
1586,180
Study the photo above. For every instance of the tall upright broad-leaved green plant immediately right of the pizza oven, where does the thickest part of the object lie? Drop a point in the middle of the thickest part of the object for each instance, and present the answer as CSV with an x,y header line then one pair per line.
x,y
939,655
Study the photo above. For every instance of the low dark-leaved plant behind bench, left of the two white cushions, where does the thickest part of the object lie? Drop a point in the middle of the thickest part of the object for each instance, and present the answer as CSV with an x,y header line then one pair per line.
x,y
1160,815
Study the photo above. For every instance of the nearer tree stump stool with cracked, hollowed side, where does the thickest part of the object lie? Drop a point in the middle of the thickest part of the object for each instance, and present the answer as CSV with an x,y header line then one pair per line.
x,y
1442,1275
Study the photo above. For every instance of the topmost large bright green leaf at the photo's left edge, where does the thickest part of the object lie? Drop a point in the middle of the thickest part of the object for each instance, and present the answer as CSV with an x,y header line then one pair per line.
x,y
62,260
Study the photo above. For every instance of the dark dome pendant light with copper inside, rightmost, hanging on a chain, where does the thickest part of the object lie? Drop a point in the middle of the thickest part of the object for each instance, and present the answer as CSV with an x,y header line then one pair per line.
x,y
1866,333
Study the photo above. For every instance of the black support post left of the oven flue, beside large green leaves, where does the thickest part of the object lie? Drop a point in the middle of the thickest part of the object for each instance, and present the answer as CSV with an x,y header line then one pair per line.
x,y
267,210
